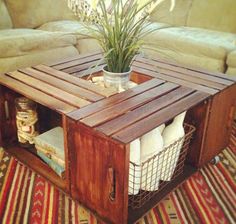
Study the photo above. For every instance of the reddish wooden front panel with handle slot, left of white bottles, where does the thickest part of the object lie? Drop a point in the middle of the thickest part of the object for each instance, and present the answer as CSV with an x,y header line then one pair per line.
x,y
99,173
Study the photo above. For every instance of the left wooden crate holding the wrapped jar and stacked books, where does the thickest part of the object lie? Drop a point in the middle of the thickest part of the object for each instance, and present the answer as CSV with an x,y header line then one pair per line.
x,y
57,94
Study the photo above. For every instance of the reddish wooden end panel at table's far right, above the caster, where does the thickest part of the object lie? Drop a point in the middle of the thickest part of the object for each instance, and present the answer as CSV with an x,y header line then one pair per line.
x,y
223,108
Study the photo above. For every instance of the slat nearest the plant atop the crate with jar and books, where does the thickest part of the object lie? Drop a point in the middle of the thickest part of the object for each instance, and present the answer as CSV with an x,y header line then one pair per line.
x,y
77,81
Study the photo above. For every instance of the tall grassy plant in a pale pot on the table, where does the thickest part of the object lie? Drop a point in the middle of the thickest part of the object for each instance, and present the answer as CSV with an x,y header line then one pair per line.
x,y
119,28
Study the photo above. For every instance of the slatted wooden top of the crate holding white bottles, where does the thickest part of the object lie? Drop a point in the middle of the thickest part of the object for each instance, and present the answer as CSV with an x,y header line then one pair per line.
x,y
133,113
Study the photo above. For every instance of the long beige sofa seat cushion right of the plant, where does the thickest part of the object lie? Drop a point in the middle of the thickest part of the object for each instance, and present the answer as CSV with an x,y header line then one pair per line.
x,y
195,41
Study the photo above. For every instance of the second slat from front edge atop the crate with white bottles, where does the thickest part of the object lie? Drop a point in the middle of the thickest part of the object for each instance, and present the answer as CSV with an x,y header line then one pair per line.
x,y
143,111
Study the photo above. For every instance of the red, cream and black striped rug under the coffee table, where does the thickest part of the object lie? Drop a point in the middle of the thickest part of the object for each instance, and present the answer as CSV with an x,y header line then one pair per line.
x,y
207,197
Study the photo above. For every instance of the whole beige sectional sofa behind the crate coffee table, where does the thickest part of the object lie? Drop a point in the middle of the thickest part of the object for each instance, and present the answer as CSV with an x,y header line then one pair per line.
x,y
199,33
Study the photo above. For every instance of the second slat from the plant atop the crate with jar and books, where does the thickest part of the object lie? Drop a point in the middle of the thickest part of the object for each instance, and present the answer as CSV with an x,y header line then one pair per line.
x,y
63,85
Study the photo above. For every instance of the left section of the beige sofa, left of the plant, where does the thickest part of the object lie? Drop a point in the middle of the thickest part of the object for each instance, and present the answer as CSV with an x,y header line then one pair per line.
x,y
22,44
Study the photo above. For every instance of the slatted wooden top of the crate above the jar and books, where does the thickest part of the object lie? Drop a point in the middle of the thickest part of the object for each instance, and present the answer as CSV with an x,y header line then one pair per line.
x,y
55,89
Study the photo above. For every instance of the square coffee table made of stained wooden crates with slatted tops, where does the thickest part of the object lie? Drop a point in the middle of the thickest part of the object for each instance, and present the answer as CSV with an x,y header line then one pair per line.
x,y
99,124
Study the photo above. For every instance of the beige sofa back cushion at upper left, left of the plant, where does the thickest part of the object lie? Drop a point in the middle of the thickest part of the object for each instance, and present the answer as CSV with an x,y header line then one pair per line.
x,y
33,13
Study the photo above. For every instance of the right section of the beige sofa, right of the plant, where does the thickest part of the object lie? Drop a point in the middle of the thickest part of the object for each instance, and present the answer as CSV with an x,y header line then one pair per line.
x,y
202,34
